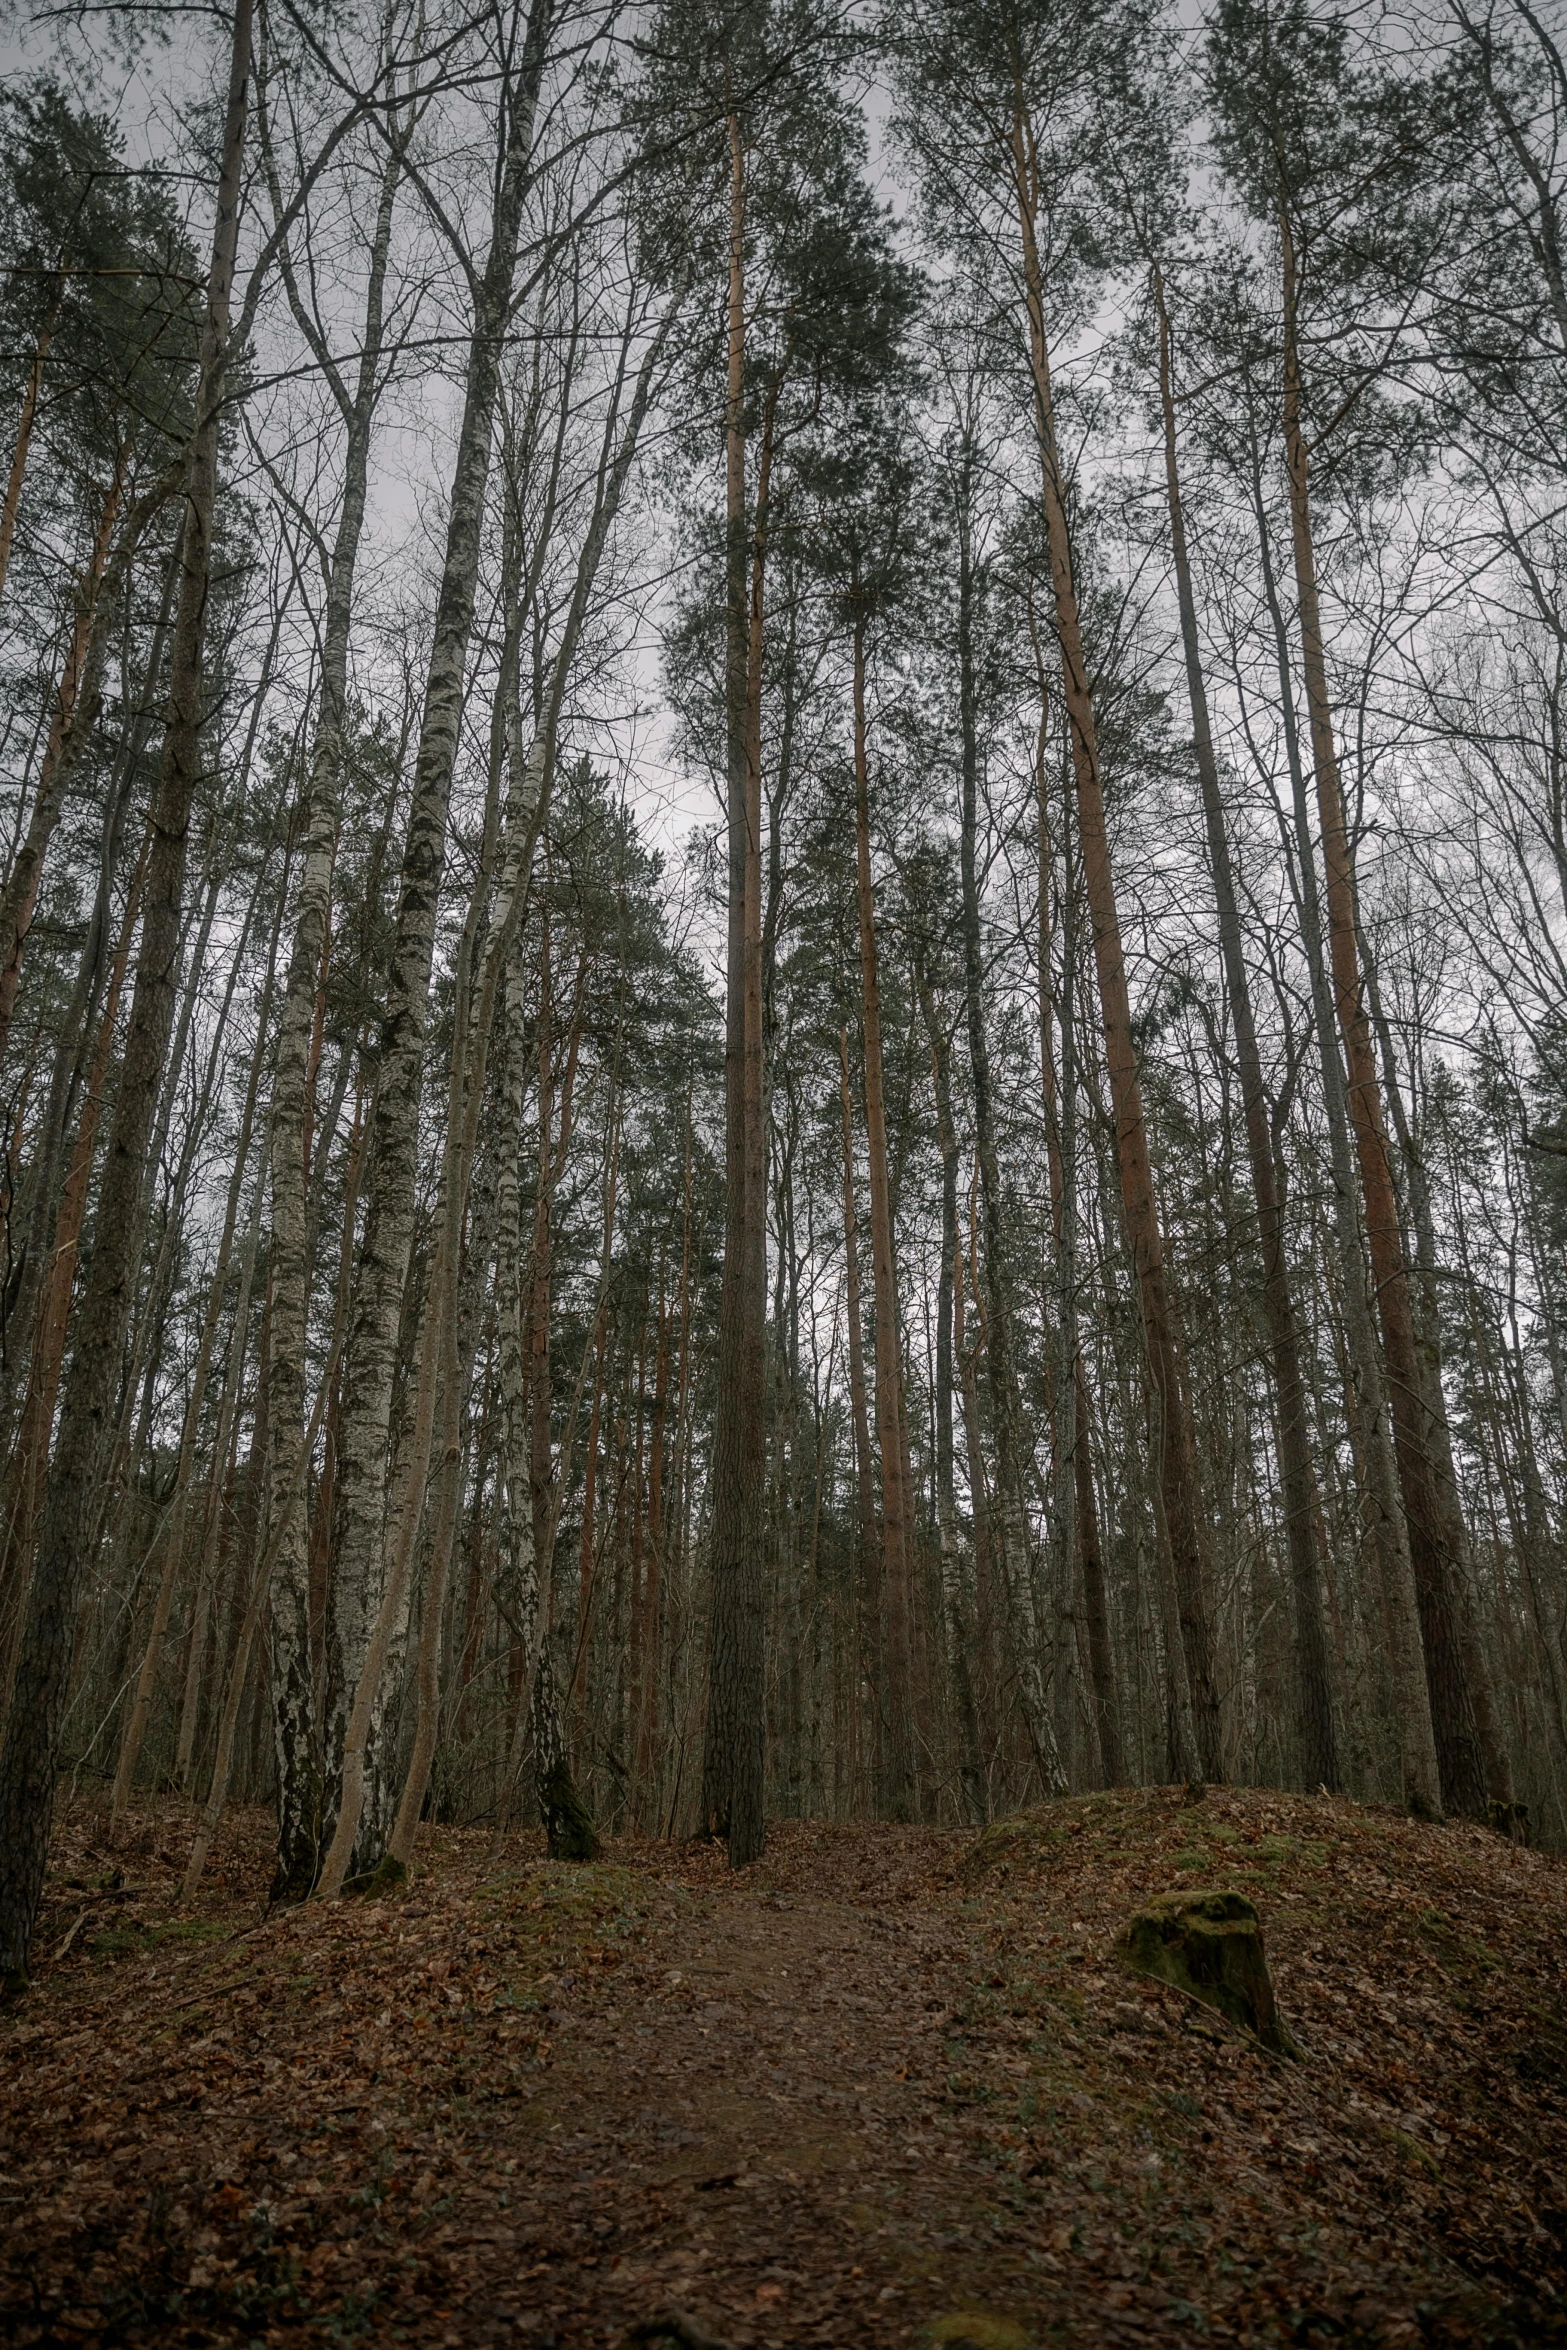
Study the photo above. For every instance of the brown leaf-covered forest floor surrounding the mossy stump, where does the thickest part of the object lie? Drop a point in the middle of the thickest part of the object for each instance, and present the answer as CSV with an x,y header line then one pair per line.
x,y
882,2088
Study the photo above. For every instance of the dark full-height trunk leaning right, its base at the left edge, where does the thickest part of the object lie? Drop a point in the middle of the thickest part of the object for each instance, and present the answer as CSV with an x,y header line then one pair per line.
x,y
39,1703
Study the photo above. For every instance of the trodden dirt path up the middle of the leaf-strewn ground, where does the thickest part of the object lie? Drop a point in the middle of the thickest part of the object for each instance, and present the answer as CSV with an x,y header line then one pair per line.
x,y
746,2133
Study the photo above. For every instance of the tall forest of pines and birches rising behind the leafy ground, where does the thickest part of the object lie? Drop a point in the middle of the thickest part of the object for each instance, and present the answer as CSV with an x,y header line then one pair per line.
x,y
783,920
